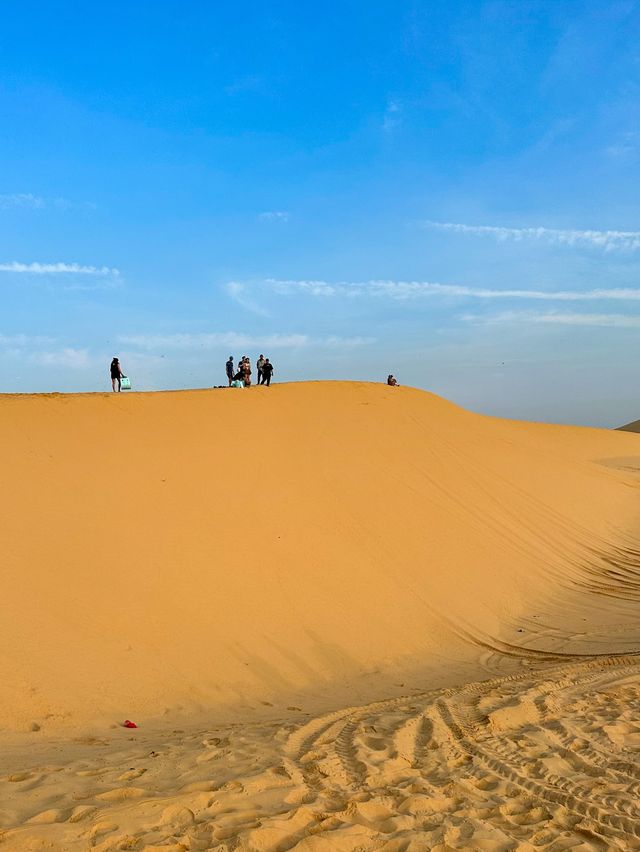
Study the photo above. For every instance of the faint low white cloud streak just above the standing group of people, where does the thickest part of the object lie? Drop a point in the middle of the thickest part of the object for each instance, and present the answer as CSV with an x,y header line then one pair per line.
x,y
233,340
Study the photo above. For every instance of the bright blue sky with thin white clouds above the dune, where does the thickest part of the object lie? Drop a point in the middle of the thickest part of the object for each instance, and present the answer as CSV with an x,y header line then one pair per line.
x,y
445,191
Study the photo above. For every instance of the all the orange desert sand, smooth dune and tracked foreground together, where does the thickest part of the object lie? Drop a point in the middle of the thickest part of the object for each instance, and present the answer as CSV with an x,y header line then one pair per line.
x,y
343,616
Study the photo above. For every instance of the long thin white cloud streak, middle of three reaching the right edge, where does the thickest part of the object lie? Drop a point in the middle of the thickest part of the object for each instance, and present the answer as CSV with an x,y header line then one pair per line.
x,y
404,290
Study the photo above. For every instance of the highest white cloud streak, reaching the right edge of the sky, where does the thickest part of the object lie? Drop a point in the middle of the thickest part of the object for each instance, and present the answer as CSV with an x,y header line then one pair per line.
x,y
606,240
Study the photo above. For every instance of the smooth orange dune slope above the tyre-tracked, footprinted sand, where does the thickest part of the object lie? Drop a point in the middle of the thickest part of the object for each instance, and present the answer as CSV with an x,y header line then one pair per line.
x,y
174,552
